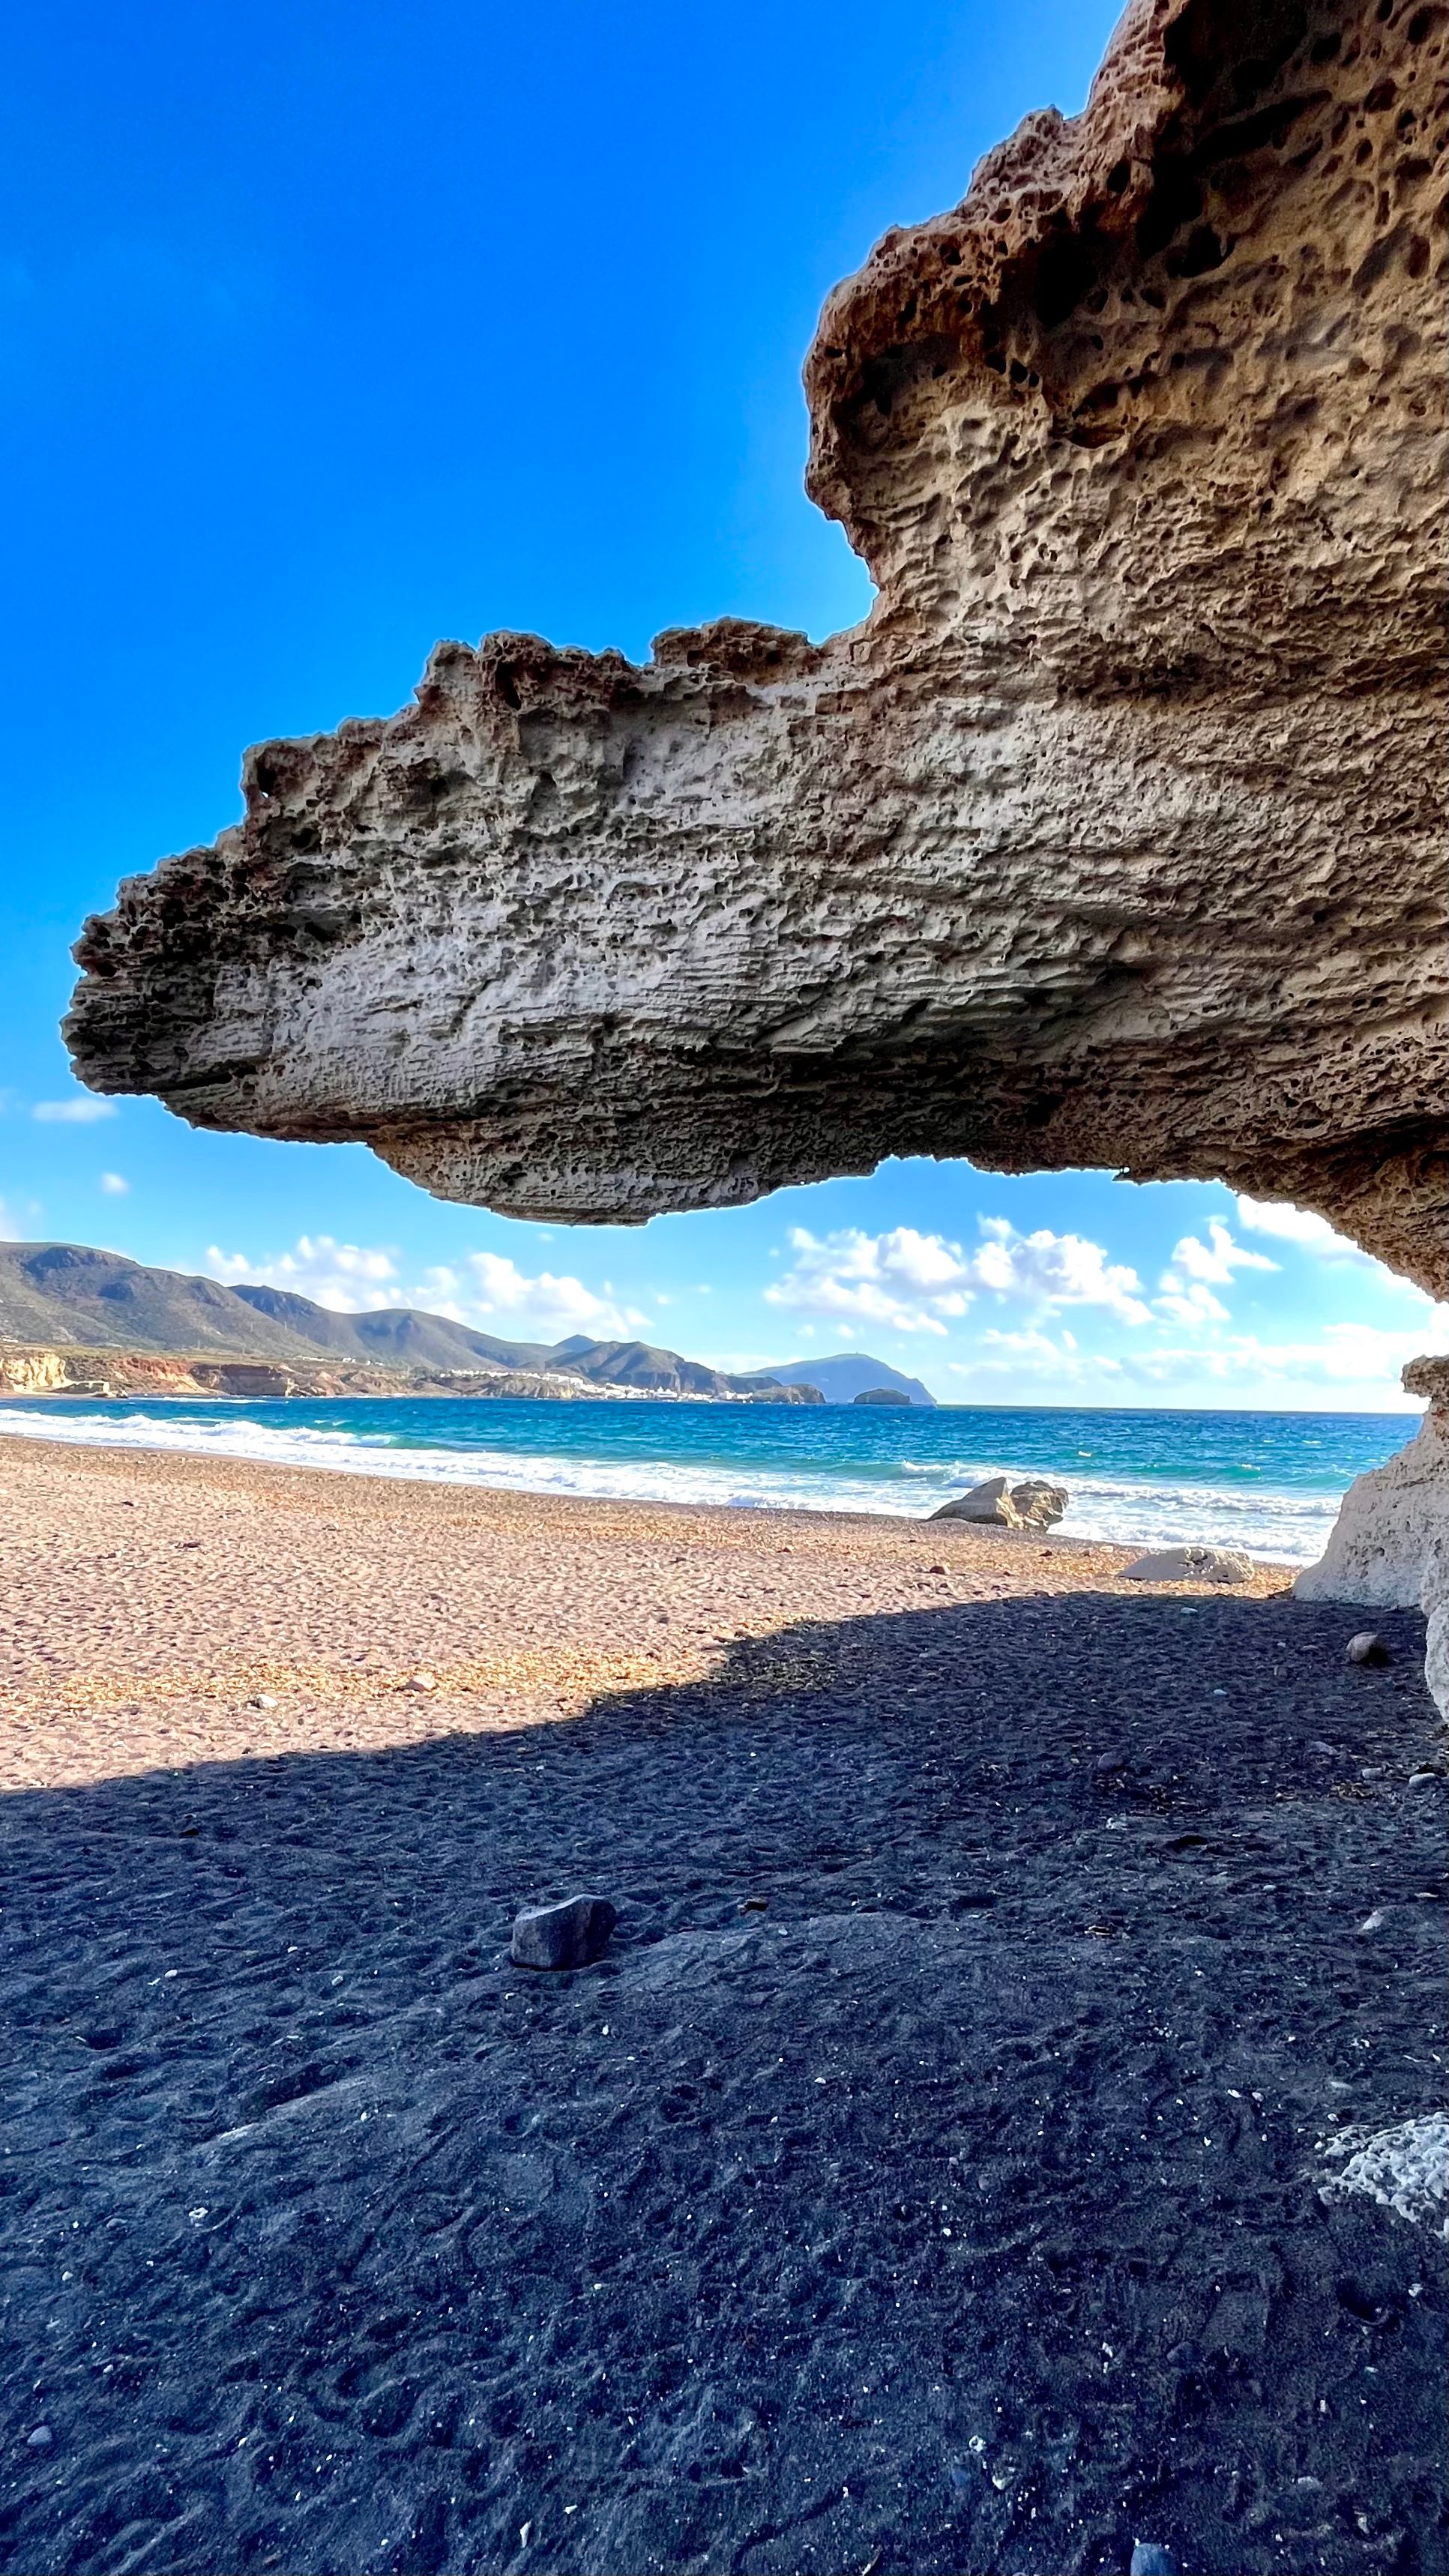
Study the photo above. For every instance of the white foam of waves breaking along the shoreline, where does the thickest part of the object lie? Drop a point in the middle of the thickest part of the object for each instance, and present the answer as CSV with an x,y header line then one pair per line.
x,y
1143,1513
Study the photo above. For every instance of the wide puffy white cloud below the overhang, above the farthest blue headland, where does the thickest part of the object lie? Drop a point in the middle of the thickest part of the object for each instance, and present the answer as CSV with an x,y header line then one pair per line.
x,y
911,1282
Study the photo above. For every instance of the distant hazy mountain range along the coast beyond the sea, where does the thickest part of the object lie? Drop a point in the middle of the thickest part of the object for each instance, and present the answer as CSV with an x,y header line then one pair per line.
x,y
66,1297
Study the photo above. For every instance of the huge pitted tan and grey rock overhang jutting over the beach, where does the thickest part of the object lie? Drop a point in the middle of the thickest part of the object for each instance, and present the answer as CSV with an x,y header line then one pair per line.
x,y
1110,838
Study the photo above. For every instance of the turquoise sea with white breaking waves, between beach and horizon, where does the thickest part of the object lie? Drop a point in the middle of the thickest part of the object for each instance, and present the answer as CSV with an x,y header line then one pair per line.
x,y
1262,1482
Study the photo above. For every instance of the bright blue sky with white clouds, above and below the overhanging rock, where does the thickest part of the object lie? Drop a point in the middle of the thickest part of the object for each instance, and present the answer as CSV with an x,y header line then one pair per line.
x,y
334,331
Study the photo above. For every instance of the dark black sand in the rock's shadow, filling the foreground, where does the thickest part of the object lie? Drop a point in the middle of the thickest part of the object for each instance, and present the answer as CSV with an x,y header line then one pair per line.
x,y
958,2211
